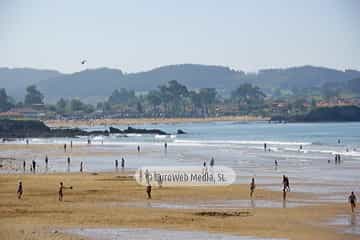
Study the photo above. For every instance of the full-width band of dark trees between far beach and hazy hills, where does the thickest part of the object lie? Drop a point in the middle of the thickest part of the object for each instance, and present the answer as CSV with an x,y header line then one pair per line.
x,y
176,100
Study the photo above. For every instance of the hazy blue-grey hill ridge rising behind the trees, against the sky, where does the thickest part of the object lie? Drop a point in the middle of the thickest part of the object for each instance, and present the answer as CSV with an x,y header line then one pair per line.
x,y
96,84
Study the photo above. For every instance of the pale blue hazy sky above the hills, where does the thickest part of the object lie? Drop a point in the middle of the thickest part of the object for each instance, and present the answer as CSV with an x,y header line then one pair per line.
x,y
140,35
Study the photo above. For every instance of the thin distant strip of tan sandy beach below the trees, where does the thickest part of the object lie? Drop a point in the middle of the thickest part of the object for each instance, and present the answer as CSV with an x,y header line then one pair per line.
x,y
141,121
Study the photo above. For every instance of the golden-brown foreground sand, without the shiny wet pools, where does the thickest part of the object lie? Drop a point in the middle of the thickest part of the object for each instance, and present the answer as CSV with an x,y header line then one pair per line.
x,y
39,215
